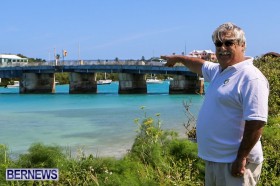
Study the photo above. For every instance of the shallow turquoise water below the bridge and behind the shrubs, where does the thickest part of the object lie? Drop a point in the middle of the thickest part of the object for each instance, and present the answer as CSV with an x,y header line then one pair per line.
x,y
101,124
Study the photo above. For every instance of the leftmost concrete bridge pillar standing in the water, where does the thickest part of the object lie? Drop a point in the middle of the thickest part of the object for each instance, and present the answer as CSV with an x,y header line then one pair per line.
x,y
37,83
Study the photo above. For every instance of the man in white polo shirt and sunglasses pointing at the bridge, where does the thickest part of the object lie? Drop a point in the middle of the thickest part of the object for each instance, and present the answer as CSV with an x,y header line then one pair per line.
x,y
234,111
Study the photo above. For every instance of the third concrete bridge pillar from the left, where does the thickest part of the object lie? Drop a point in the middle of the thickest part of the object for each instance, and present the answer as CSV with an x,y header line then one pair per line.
x,y
132,83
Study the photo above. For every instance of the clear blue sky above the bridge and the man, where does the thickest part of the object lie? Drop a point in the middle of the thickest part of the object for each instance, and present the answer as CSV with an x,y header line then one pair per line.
x,y
132,29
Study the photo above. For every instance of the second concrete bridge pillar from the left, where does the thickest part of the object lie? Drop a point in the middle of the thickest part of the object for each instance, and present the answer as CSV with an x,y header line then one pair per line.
x,y
82,83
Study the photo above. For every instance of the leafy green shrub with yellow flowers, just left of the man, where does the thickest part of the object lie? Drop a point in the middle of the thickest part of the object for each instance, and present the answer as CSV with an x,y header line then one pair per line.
x,y
173,160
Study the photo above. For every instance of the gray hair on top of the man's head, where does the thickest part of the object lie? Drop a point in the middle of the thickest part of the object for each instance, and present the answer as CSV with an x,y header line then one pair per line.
x,y
237,31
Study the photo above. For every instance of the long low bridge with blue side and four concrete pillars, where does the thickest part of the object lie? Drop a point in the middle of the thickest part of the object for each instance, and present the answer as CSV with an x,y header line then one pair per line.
x,y
40,77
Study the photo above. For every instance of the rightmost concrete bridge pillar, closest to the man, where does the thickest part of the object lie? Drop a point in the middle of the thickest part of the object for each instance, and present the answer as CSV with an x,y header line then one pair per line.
x,y
182,84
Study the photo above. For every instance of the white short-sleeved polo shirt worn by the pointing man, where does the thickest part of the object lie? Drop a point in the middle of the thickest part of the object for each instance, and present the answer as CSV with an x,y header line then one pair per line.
x,y
238,93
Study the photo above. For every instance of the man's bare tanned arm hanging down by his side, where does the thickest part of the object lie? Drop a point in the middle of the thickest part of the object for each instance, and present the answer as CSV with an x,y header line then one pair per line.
x,y
252,133
